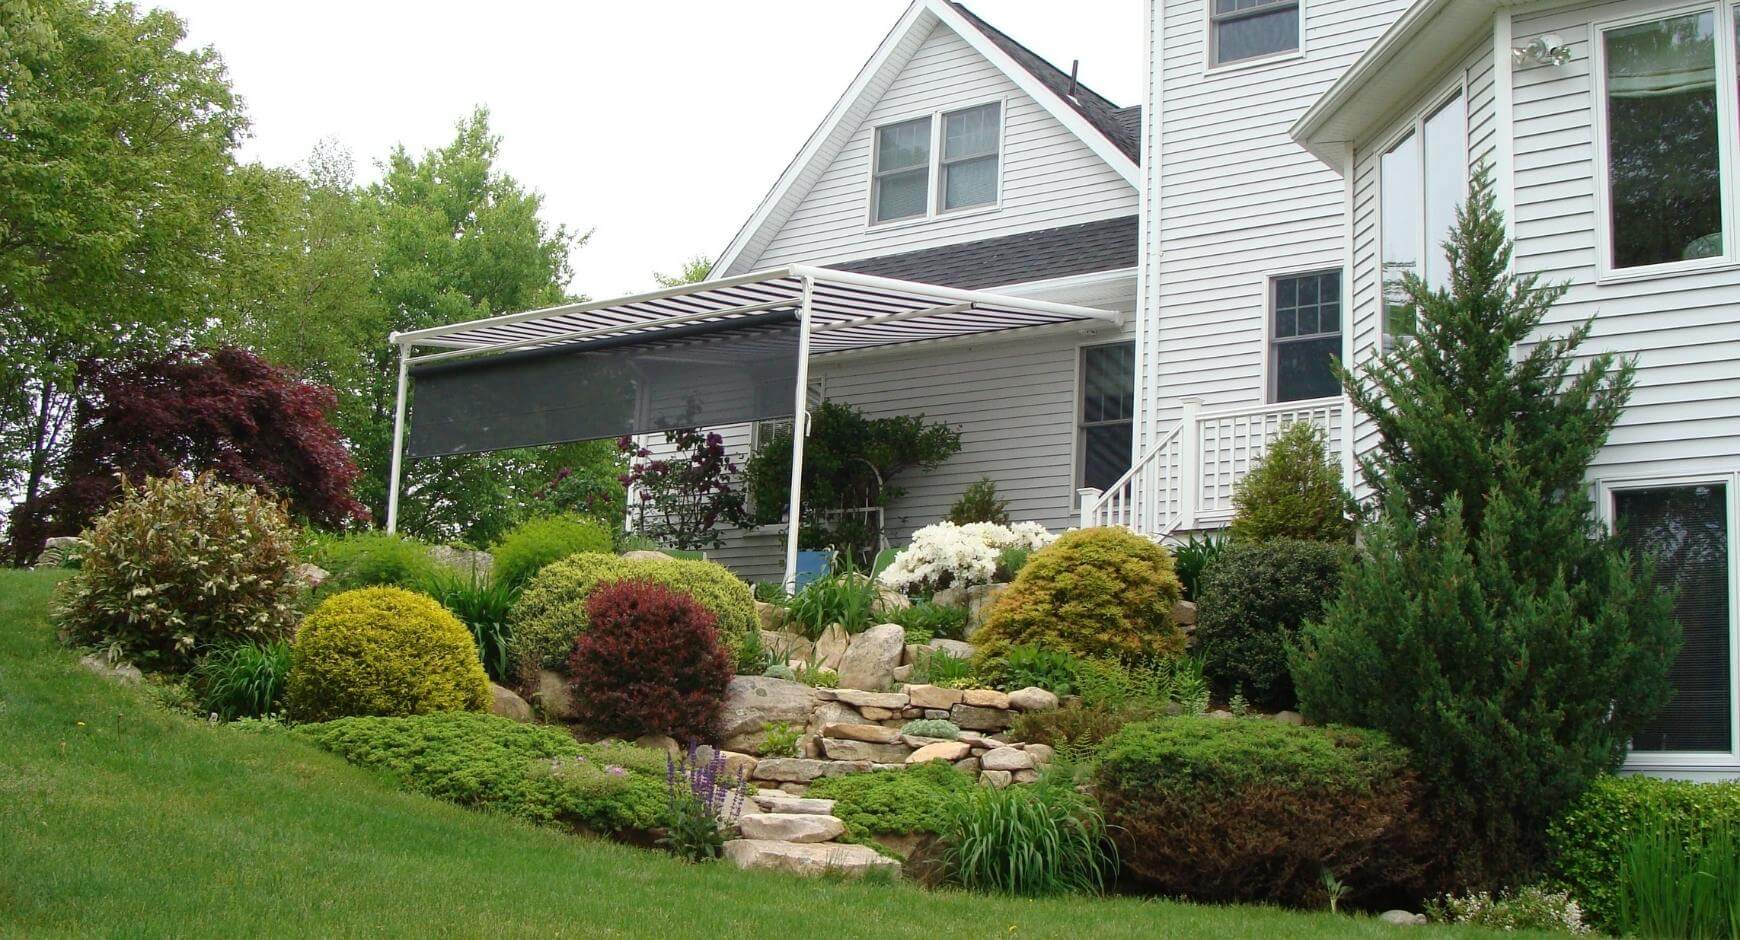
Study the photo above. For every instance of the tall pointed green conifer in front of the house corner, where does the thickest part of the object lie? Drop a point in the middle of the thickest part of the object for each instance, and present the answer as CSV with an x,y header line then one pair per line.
x,y
1487,581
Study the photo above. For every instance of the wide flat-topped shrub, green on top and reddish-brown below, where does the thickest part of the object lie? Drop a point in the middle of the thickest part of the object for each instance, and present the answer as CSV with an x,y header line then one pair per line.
x,y
1241,810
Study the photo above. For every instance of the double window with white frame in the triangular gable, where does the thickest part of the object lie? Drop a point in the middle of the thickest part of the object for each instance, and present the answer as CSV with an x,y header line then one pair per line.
x,y
963,161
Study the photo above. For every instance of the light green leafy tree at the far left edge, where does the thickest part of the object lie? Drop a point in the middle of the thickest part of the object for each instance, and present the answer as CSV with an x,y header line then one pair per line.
x,y
116,182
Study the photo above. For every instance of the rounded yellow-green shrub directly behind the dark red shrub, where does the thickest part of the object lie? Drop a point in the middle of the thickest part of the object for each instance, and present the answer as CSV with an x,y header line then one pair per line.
x,y
552,610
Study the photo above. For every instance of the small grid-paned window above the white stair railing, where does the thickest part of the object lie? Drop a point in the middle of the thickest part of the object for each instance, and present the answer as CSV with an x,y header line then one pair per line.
x,y
1304,337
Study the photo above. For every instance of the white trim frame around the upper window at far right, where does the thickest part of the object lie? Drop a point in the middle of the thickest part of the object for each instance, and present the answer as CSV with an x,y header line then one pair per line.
x,y
1727,130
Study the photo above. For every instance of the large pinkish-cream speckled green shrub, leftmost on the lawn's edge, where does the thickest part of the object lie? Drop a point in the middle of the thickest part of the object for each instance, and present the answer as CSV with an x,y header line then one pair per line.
x,y
177,567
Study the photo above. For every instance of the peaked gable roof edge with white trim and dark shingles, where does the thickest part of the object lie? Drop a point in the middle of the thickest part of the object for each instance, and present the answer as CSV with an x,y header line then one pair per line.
x,y
1088,116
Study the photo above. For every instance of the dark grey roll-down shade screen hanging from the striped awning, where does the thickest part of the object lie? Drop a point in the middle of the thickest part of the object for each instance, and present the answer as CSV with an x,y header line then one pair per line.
x,y
700,375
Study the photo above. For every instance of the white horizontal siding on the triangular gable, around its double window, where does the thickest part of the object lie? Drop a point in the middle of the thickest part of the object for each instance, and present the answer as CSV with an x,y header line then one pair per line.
x,y
1047,175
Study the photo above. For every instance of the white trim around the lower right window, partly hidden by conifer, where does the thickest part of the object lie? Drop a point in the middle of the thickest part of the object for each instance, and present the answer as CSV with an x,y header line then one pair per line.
x,y
1692,762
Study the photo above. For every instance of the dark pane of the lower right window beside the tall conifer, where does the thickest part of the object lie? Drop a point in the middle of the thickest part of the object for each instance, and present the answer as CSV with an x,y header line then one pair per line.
x,y
1685,530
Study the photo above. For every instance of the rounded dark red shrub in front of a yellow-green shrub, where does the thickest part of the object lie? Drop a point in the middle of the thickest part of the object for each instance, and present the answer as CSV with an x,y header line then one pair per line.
x,y
650,664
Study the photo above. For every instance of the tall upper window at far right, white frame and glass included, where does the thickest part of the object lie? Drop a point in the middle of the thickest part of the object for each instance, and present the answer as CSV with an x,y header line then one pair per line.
x,y
1668,130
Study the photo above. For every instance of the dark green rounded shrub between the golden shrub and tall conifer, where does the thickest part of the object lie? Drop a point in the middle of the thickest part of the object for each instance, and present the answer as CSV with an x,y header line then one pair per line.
x,y
1254,600
